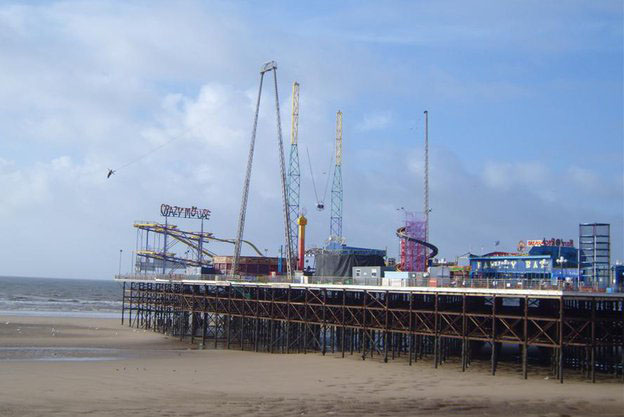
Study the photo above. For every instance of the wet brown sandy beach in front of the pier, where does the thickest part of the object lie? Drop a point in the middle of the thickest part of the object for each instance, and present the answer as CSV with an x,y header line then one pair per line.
x,y
78,366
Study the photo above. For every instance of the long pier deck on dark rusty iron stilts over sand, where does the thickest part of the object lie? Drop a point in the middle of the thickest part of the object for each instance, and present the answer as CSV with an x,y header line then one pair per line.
x,y
570,331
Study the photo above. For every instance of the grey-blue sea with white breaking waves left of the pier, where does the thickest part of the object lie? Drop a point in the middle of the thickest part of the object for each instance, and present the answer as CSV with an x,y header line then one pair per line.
x,y
59,297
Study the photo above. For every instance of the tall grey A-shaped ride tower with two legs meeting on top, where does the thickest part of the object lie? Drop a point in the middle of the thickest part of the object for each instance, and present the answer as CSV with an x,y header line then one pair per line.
x,y
268,67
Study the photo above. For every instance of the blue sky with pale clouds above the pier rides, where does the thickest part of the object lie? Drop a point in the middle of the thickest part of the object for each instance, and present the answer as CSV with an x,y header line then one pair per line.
x,y
525,102
